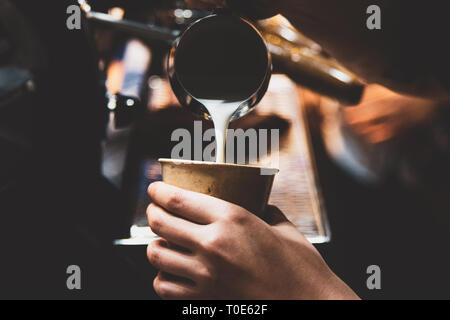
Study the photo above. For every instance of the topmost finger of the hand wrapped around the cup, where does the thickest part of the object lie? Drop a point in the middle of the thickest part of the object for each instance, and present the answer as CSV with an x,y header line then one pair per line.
x,y
197,207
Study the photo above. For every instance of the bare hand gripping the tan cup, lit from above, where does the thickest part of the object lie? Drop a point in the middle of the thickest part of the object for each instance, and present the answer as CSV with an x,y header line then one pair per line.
x,y
212,249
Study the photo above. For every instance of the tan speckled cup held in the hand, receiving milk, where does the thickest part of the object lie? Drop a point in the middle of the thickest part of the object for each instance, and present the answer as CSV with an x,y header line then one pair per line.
x,y
246,186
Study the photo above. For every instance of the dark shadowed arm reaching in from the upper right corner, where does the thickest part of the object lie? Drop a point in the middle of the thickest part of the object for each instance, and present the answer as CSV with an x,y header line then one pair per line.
x,y
408,55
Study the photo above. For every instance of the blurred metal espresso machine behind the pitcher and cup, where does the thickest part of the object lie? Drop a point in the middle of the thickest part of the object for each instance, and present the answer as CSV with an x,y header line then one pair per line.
x,y
134,41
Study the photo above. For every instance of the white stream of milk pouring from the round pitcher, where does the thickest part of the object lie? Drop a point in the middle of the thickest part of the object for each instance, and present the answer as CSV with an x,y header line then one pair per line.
x,y
221,112
